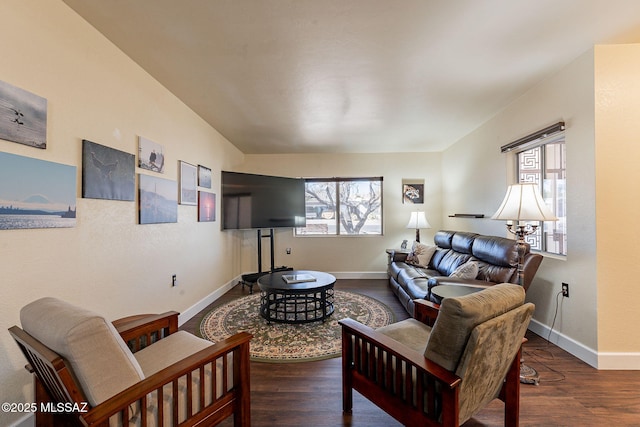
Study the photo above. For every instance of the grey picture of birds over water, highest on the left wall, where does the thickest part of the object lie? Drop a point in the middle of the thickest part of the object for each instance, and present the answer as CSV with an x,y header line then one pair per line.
x,y
23,116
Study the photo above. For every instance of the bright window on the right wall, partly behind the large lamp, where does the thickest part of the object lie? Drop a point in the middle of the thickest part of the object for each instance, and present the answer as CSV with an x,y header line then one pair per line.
x,y
545,164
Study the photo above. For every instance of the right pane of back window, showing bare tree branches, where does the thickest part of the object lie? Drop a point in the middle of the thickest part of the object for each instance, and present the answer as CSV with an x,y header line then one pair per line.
x,y
360,207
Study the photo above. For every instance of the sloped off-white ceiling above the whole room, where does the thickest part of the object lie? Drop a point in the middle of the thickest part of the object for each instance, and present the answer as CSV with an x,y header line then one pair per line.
x,y
294,76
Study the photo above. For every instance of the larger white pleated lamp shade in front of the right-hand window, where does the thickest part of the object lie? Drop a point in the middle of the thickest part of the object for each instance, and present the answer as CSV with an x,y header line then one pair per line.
x,y
523,202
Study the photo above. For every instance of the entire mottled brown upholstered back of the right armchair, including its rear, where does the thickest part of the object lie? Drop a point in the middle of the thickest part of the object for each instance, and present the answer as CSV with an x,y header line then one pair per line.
x,y
477,337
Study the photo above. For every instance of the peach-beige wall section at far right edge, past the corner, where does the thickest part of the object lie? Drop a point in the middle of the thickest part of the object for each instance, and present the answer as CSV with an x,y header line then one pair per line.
x,y
617,130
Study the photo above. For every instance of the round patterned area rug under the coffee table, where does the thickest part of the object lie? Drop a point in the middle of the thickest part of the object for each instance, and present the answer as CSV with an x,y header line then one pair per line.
x,y
286,343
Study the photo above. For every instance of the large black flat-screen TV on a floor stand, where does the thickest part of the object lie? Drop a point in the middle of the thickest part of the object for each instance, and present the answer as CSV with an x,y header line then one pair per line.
x,y
261,201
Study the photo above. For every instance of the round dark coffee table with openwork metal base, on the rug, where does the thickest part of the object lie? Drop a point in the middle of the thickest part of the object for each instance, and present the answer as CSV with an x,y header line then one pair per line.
x,y
302,302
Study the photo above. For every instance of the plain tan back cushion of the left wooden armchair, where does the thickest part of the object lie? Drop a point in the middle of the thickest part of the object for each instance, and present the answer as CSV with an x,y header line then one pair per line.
x,y
98,357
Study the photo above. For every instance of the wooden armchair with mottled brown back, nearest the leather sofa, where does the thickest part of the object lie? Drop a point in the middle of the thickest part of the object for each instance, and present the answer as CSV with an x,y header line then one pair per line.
x,y
441,375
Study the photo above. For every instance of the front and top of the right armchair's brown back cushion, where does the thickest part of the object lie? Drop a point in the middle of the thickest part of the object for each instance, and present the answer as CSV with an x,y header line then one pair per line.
x,y
459,316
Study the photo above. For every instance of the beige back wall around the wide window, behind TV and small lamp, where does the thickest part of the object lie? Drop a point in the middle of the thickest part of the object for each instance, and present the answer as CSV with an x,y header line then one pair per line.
x,y
355,256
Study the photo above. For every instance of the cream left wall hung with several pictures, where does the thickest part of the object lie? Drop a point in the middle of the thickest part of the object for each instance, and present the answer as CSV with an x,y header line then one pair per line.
x,y
107,262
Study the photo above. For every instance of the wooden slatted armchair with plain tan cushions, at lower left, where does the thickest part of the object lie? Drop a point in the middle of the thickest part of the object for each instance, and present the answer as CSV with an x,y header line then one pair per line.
x,y
138,371
